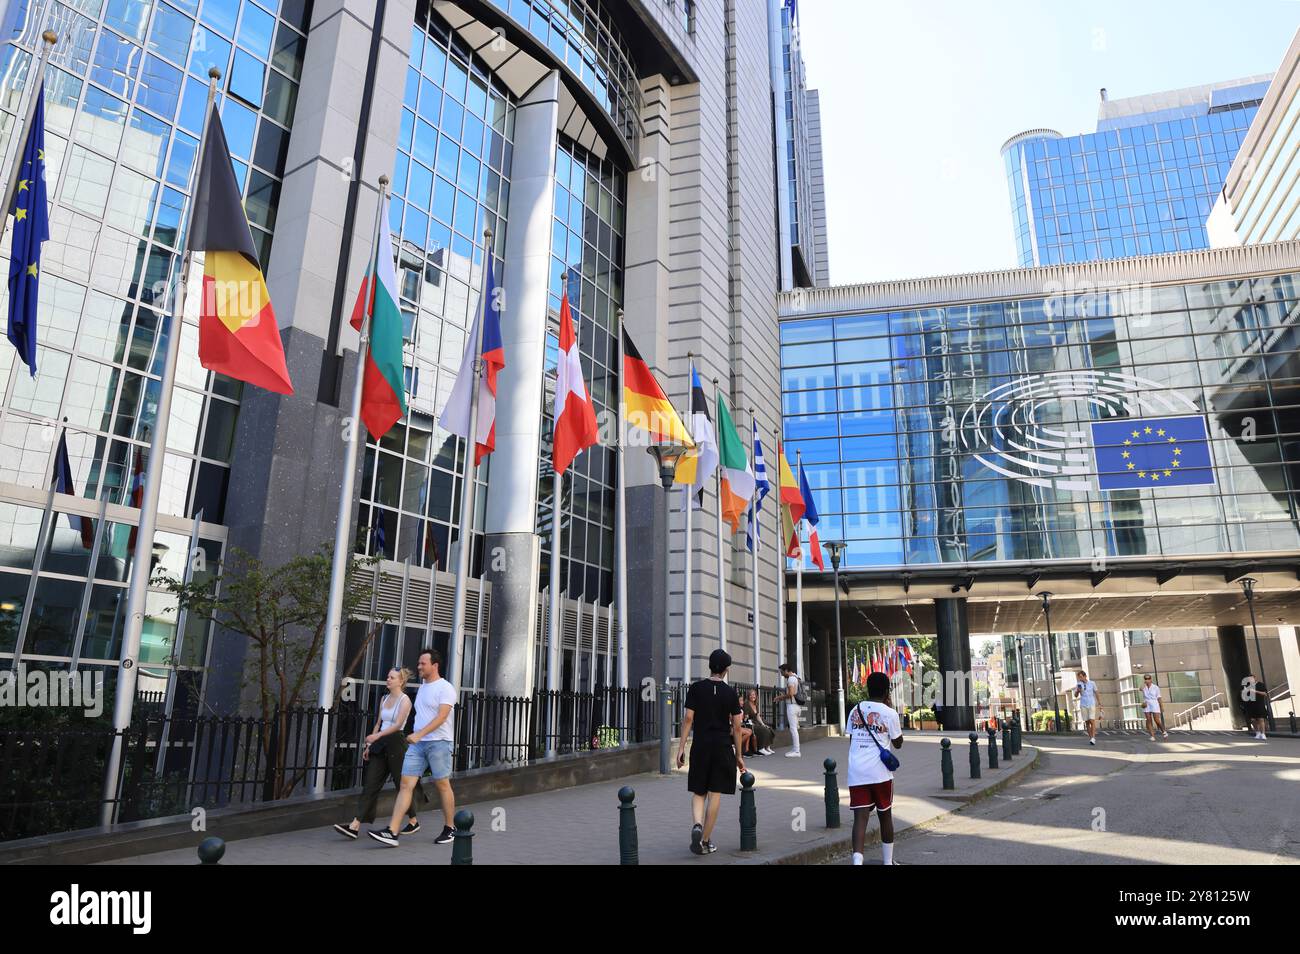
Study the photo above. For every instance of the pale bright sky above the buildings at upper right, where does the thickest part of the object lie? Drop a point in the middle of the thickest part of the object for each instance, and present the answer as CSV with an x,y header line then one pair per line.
x,y
918,98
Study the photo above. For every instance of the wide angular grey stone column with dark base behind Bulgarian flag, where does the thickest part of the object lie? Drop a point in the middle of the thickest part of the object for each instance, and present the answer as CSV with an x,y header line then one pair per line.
x,y
288,461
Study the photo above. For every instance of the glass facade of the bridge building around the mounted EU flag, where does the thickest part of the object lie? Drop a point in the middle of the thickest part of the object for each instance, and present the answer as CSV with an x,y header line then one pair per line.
x,y
903,422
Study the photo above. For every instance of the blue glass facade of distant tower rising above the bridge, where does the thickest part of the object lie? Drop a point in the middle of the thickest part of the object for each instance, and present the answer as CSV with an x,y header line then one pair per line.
x,y
1142,188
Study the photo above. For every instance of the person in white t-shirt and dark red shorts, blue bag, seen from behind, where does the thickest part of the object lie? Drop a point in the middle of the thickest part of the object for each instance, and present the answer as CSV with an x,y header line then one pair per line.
x,y
873,726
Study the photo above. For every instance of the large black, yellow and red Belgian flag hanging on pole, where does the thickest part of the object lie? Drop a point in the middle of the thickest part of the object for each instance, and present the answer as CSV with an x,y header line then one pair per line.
x,y
239,336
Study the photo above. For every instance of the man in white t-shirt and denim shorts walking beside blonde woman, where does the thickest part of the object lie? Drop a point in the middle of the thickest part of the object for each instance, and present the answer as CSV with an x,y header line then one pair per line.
x,y
430,747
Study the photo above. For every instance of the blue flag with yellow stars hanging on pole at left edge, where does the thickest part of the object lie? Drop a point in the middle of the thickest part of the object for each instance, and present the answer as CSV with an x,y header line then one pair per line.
x,y
31,229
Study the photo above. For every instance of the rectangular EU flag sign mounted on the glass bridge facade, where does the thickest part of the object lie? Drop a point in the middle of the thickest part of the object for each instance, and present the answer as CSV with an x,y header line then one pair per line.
x,y
1152,453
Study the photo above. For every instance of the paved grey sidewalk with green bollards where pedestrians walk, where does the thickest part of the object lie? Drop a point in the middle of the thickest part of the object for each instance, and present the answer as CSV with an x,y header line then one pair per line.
x,y
580,826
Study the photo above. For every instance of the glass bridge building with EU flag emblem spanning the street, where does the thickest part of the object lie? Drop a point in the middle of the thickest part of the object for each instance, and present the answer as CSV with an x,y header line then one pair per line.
x,y
1123,436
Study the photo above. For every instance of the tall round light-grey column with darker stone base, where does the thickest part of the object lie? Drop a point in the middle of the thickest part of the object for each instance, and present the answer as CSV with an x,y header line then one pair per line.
x,y
513,553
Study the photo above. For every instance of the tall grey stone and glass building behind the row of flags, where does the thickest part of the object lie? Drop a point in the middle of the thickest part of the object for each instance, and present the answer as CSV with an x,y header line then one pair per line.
x,y
629,149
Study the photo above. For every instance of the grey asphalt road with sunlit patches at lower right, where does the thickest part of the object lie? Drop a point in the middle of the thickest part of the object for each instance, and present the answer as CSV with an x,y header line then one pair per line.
x,y
1208,801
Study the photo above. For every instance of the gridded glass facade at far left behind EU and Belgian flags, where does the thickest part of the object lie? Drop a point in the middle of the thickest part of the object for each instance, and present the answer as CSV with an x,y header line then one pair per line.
x,y
125,94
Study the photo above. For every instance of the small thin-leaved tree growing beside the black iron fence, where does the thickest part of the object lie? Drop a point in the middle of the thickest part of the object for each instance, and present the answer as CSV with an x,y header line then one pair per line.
x,y
281,612
